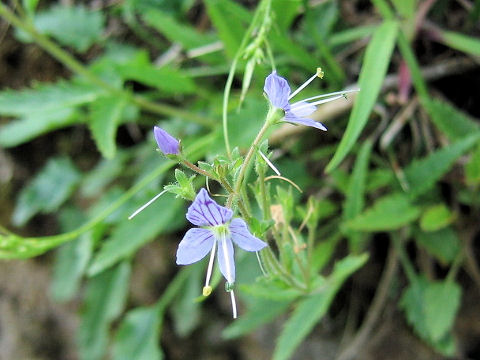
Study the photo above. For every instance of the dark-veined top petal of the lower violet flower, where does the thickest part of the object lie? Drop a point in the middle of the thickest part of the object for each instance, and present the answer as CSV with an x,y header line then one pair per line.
x,y
206,212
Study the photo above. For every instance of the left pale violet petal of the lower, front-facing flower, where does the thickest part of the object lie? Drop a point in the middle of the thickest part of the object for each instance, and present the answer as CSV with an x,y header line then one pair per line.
x,y
194,246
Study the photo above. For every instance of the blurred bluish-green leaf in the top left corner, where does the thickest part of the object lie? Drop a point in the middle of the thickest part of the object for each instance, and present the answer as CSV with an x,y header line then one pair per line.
x,y
74,26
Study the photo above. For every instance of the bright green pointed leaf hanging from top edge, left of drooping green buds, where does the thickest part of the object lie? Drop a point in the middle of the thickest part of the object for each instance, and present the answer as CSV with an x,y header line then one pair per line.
x,y
226,16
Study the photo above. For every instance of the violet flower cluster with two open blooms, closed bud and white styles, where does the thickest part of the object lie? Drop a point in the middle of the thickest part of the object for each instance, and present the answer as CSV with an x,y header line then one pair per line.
x,y
217,228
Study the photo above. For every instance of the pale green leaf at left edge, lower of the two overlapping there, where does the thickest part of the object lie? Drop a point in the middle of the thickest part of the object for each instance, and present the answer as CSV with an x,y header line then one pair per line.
x,y
37,123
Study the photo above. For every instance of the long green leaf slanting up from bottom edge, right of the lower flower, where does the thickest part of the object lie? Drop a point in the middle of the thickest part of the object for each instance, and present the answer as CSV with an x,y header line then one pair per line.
x,y
311,309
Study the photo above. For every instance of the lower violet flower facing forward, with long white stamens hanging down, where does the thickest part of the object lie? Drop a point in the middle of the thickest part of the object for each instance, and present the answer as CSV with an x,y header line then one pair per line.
x,y
215,227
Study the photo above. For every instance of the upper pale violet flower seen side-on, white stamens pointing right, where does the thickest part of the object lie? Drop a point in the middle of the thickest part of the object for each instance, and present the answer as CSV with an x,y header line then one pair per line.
x,y
278,93
